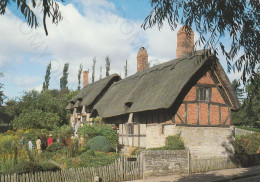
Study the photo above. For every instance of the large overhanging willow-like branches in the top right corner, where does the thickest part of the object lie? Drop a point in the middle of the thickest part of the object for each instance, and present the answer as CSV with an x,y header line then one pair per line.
x,y
213,19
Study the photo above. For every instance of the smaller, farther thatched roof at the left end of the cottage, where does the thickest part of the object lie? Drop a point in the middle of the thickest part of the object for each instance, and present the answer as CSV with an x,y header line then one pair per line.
x,y
92,92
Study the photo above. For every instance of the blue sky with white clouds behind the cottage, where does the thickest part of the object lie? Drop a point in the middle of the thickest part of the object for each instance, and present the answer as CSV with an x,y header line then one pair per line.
x,y
90,28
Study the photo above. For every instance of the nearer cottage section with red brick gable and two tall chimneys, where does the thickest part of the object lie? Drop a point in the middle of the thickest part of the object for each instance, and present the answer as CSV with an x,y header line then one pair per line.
x,y
190,95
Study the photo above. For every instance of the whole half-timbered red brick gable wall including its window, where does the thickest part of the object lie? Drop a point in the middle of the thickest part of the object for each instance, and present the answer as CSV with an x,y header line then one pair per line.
x,y
205,104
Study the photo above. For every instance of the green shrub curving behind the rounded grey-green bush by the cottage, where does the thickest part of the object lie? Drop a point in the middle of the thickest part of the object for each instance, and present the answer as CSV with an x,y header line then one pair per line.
x,y
110,134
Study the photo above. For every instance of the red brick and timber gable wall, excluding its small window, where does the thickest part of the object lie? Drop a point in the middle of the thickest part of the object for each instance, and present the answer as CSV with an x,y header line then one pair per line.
x,y
215,108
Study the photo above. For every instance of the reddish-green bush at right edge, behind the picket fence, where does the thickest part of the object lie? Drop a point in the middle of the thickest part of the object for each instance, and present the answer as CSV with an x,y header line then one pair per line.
x,y
247,144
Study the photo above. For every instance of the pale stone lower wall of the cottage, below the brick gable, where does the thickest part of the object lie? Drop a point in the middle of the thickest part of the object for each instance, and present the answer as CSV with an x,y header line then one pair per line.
x,y
201,141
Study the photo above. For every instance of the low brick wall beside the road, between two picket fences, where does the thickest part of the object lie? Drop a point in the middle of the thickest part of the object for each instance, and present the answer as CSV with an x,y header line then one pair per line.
x,y
165,162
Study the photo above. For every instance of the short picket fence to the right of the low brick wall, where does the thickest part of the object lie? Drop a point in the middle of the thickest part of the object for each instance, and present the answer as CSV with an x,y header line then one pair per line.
x,y
198,165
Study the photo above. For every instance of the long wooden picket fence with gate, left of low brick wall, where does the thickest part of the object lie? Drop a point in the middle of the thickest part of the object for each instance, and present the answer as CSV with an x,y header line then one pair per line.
x,y
123,169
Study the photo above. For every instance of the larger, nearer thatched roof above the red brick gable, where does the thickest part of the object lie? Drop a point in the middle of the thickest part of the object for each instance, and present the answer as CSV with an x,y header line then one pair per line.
x,y
159,87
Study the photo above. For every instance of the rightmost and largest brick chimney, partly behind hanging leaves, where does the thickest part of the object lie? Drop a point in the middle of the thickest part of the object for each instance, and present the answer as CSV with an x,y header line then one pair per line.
x,y
185,43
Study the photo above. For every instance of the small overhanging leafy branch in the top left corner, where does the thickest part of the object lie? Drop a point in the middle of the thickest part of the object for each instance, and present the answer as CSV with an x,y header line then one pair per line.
x,y
49,8
